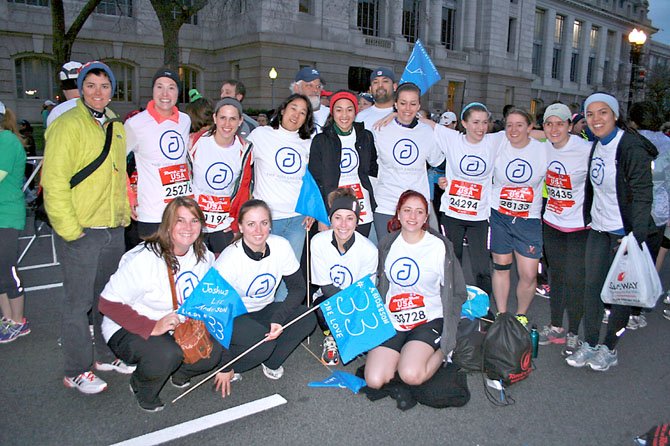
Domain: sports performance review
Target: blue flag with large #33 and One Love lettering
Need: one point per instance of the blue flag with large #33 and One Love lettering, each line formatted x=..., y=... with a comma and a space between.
x=358, y=319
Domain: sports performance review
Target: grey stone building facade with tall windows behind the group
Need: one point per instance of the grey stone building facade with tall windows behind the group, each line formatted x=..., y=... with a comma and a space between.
x=527, y=52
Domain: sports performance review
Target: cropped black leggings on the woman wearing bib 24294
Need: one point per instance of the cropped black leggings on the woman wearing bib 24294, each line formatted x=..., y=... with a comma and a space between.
x=480, y=258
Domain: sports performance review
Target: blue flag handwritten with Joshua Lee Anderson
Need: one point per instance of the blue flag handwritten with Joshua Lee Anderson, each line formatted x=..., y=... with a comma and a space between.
x=215, y=302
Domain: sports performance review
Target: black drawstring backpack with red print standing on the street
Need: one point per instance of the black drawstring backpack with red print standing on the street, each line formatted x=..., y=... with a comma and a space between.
x=507, y=351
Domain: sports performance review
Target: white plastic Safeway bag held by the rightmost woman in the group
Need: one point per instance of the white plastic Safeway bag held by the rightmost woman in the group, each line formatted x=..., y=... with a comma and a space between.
x=632, y=278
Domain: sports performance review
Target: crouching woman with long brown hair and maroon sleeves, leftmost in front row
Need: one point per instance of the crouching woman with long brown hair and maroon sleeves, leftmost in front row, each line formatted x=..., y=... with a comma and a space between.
x=139, y=317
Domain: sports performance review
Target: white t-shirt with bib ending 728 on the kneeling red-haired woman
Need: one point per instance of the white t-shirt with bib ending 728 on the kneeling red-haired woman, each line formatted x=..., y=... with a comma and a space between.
x=415, y=272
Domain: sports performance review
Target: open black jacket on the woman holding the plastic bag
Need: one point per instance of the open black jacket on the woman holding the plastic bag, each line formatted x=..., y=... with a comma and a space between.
x=634, y=190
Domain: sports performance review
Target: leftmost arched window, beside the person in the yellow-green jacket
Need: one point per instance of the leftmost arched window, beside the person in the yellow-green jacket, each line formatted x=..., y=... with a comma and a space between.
x=35, y=78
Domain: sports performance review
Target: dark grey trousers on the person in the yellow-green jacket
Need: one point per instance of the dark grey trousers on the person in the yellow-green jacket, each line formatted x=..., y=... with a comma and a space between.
x=87, y=264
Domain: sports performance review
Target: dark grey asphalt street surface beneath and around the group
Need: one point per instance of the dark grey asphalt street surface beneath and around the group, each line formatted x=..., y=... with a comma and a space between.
x=556, y=405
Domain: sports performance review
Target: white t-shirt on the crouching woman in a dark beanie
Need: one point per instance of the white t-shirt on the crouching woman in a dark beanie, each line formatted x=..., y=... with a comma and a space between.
x=331, y=267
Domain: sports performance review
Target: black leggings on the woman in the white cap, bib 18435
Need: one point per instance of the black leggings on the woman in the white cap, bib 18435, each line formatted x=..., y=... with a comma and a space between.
x=565, y=253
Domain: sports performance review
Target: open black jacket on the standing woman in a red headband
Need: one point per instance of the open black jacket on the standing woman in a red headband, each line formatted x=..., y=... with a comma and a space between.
x=325, y=155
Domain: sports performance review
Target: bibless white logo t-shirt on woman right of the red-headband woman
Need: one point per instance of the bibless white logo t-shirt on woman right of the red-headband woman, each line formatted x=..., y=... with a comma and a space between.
x=402, y=155
